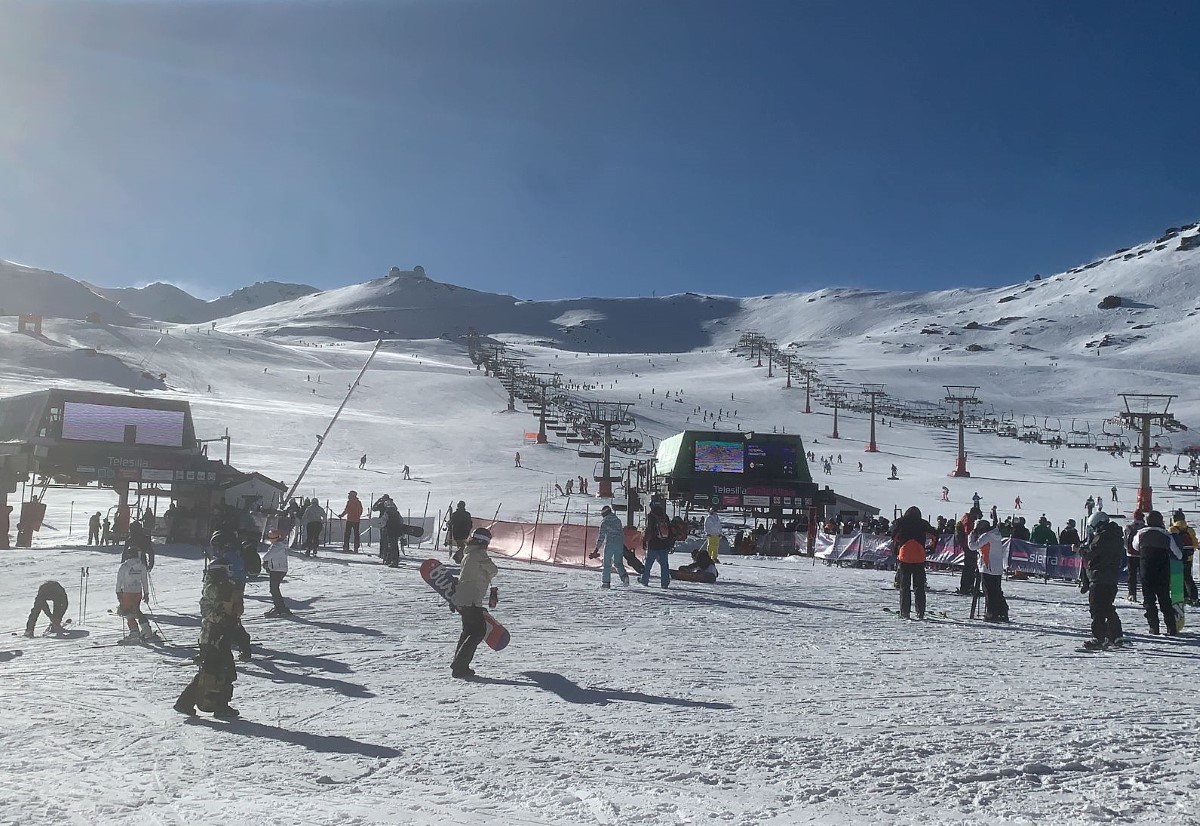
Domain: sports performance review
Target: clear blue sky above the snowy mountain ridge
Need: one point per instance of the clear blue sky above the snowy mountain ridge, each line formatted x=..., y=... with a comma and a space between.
x=560, y=148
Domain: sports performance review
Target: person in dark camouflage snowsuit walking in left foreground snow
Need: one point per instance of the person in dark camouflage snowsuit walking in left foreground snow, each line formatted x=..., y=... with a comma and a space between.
x=212, y=689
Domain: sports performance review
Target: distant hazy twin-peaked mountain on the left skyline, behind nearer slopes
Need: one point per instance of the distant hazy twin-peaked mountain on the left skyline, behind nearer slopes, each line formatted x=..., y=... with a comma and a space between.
x=169, y=303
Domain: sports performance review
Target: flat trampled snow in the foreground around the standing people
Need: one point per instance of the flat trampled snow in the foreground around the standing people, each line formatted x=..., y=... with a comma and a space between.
x=784, y=695
